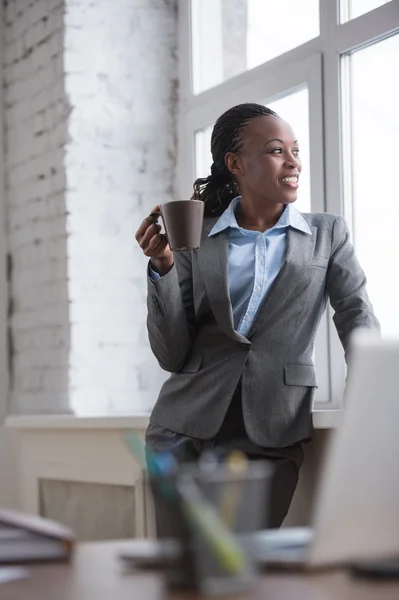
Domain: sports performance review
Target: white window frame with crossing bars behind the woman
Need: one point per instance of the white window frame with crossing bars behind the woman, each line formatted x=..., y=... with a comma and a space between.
x=317, y=64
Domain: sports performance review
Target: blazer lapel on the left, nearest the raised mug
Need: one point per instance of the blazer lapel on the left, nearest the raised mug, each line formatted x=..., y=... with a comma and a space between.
x=213, y=263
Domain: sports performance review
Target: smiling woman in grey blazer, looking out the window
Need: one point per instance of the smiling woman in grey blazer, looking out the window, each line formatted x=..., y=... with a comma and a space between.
x=235, y=321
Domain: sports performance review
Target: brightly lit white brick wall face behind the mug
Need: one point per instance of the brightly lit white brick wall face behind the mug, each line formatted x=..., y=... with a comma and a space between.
x=120, y=162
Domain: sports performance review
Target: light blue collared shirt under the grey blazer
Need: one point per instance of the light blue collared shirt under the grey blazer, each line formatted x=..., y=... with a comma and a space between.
x=254, y=260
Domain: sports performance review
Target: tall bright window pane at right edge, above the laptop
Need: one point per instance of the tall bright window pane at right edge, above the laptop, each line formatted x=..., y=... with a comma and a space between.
x=374, y=127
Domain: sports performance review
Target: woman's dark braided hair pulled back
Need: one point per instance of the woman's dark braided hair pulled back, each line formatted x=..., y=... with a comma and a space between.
x=219, y=188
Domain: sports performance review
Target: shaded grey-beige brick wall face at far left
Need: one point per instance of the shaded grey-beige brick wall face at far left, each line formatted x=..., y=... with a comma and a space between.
x=35, y=135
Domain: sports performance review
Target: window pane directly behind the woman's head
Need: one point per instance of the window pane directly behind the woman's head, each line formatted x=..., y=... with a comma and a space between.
x=294, y=108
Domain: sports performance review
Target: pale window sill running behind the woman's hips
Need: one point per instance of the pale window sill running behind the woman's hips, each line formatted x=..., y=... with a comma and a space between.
x=322, y=419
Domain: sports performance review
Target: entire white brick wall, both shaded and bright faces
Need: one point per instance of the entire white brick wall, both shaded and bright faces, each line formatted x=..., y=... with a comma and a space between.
x=90, y=121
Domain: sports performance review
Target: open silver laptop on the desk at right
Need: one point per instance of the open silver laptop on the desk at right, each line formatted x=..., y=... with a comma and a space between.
x=356, y=513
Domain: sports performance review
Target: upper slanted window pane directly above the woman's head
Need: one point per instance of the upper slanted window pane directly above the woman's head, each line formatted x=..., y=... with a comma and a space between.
x=231, y=36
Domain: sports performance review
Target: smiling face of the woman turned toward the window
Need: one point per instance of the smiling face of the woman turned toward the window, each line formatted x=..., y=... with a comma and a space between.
x=268, y=165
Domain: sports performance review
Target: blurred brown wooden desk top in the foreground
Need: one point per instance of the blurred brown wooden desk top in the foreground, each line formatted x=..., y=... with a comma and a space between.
x=95, y=574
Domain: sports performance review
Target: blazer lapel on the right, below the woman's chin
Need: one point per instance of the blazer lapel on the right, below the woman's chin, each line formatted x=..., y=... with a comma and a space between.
x=300, y=248
